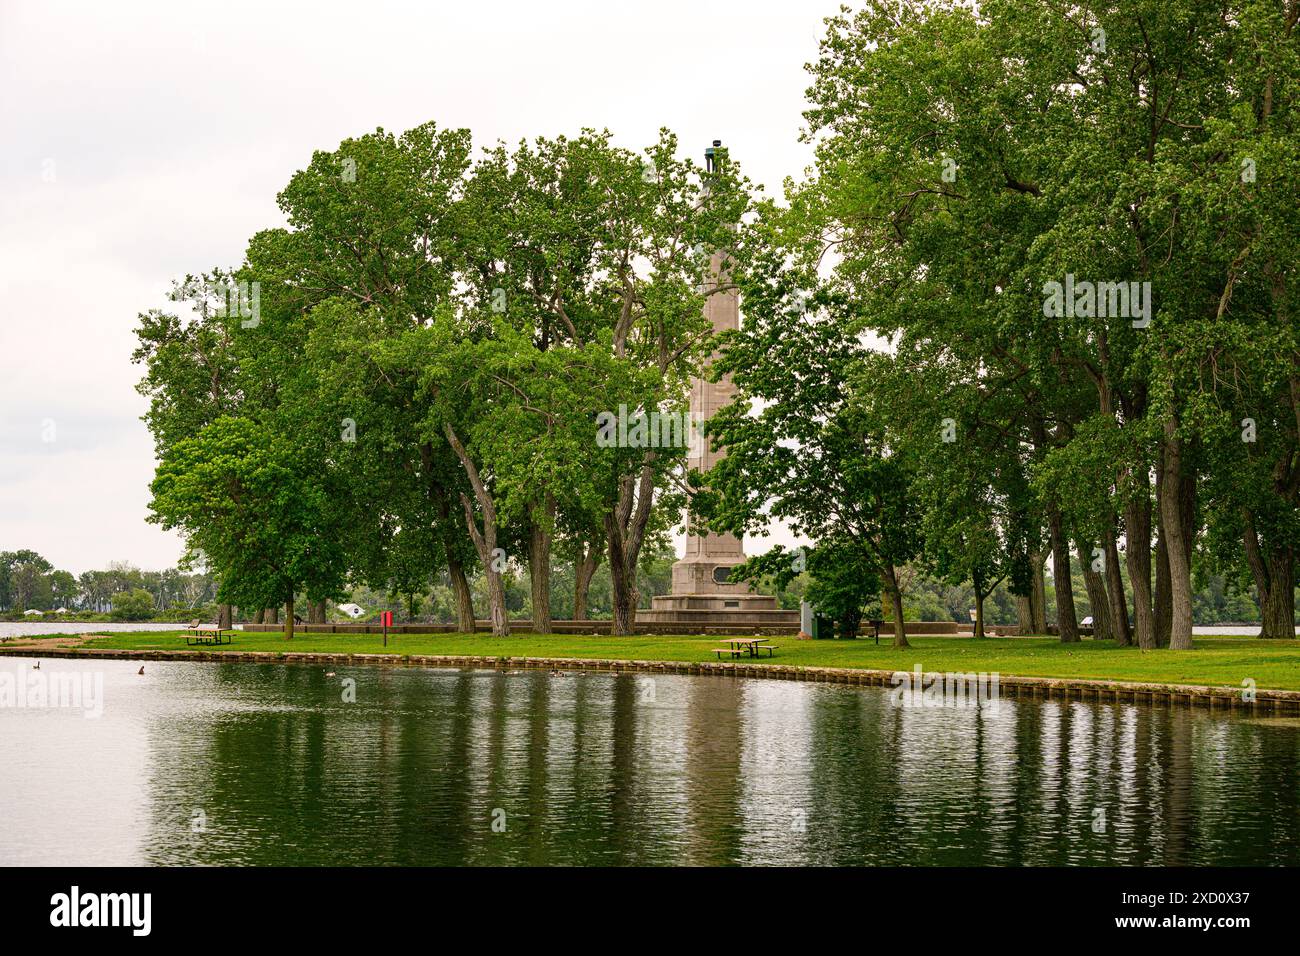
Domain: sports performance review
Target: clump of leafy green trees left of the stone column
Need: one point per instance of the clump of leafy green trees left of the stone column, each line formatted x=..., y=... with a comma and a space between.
x=408, y=380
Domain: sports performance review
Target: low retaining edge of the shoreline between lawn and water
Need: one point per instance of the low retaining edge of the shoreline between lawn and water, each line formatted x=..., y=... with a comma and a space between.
x=1212, y=698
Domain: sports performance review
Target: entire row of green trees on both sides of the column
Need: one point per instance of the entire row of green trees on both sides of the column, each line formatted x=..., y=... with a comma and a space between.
x=1034, y=301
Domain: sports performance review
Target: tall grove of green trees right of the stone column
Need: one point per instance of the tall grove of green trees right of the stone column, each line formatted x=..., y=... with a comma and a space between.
x=1074, y=226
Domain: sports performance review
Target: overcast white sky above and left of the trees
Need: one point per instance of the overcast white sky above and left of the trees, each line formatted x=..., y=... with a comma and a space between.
x=146, y=141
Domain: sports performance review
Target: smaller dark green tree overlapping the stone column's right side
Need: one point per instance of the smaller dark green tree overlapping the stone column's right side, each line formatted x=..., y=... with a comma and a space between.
x=818, y=452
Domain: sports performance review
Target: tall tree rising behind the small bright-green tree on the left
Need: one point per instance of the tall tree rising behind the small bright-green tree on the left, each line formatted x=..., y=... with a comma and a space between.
x=371, y=253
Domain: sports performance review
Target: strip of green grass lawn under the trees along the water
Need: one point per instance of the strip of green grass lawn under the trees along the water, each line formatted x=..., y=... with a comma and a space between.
x=1223, y=661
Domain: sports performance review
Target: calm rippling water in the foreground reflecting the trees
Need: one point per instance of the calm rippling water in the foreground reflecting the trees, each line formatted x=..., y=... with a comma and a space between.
x=267, y=764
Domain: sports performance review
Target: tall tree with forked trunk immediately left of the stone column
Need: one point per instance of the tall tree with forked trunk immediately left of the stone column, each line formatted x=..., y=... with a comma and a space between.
x=584, y=245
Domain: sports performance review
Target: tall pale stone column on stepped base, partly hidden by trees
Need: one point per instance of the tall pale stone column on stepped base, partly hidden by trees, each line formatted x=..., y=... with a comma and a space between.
x=700, y=579
